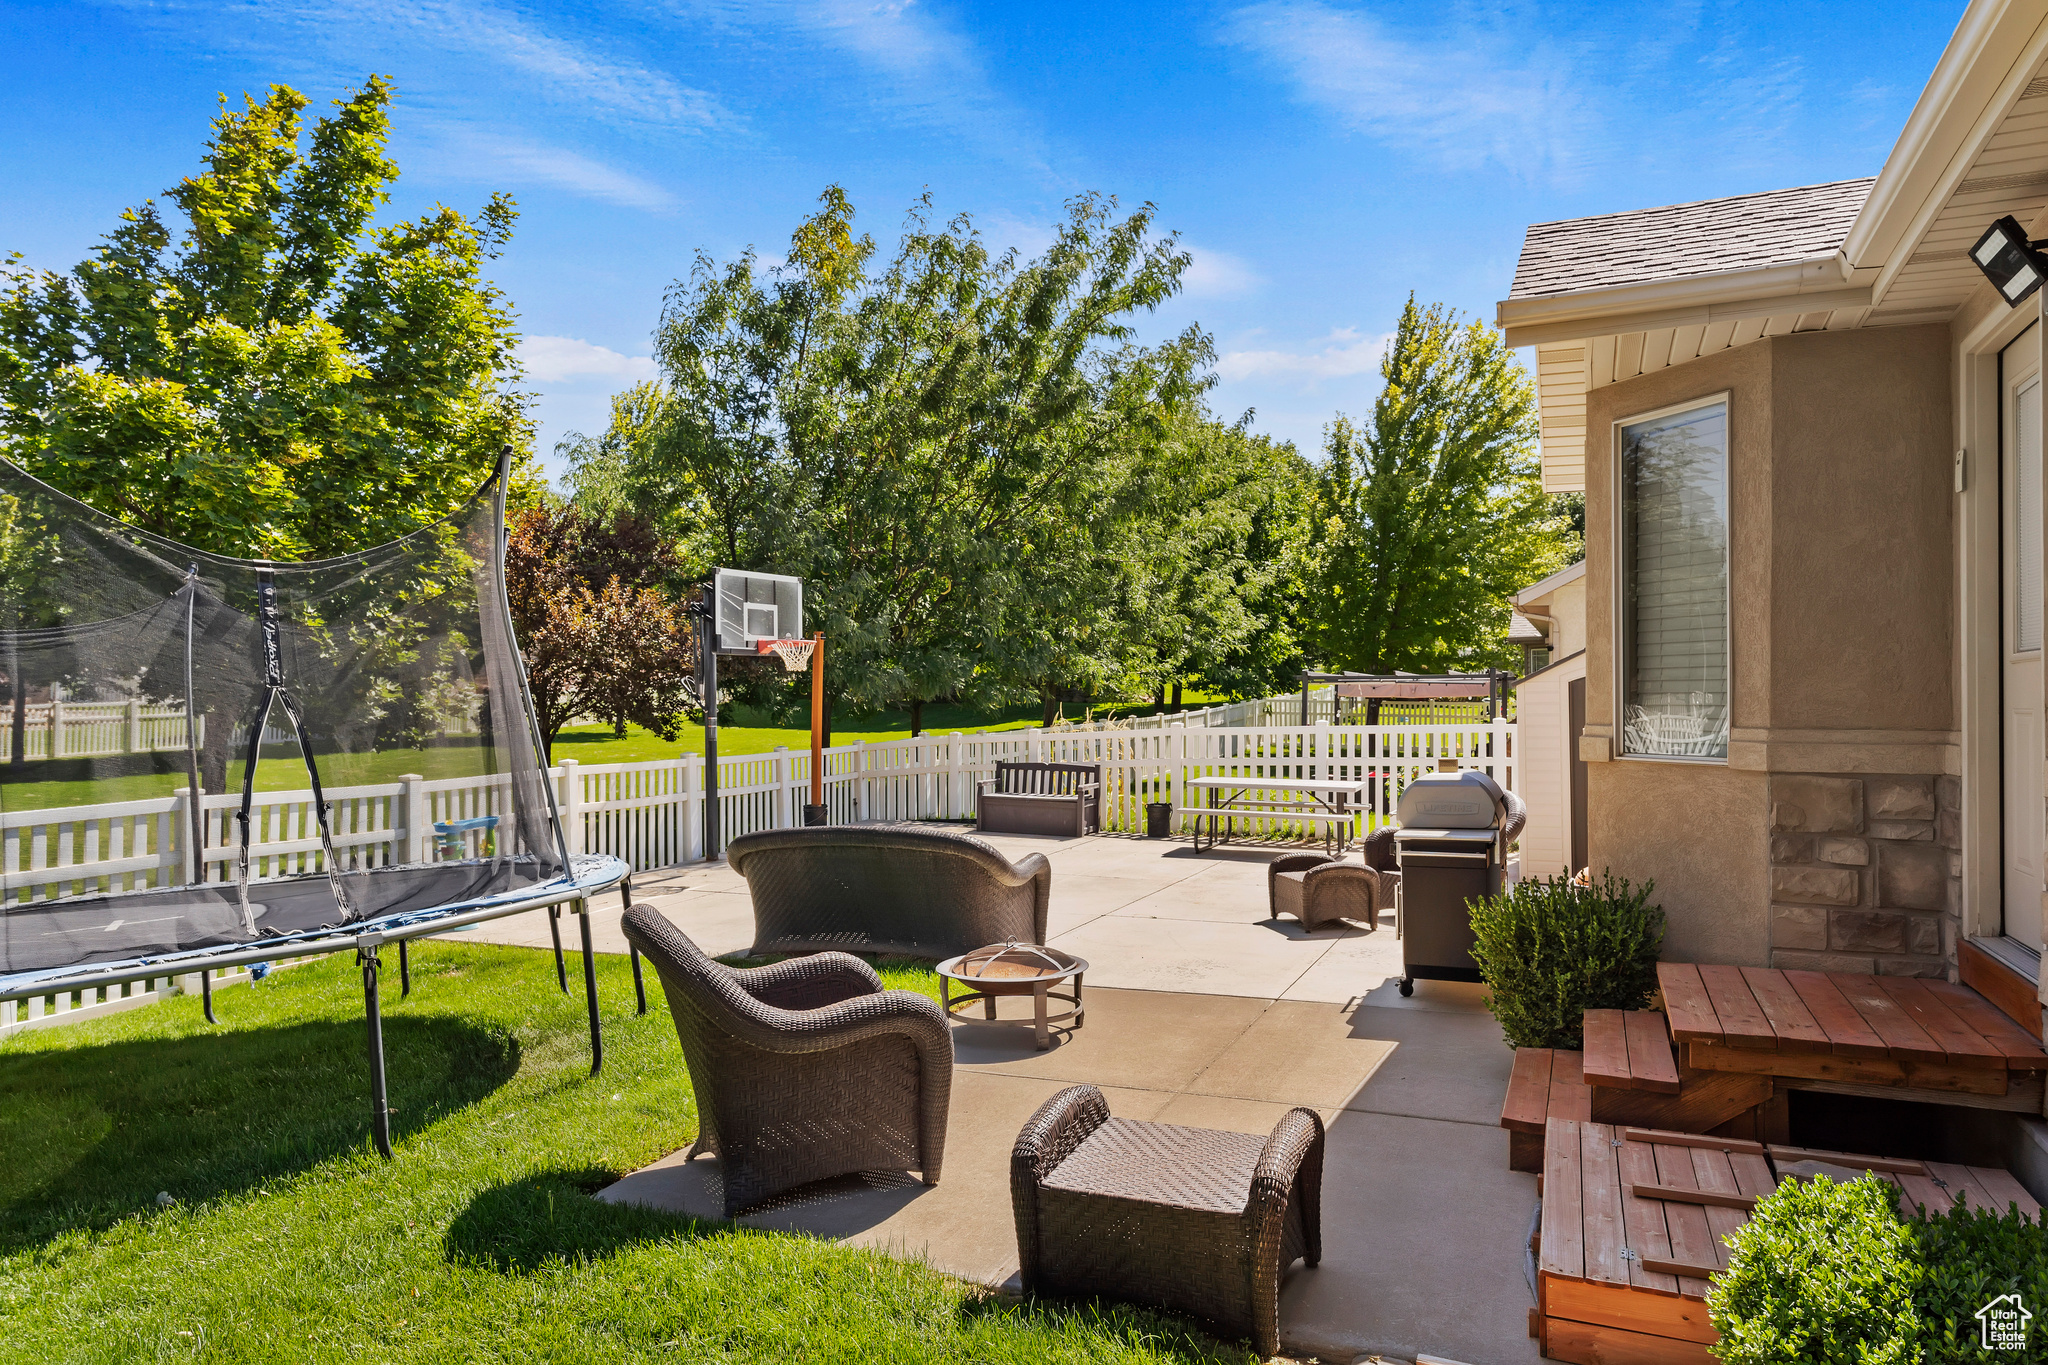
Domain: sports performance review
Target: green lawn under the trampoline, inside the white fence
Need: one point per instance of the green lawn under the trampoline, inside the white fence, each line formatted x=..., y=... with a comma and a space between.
x=292, y=1241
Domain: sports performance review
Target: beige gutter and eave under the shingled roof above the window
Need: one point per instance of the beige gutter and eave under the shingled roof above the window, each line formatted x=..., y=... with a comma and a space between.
x=1811, y=285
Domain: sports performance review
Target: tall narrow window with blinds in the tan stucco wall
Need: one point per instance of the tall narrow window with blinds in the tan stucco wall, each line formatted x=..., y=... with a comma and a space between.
x=1674, y=605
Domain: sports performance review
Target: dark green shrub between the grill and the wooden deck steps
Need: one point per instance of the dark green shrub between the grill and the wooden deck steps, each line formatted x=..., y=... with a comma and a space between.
x=1551, y=951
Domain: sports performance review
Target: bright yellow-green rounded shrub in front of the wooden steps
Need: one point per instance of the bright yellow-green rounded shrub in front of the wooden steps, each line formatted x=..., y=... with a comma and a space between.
x=1820, y=1274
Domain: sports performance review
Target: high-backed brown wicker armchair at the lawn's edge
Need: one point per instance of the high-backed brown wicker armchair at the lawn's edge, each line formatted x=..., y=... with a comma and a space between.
x=804, y=1069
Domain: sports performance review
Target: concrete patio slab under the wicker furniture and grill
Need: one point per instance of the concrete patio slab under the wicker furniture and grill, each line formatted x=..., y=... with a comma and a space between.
x=1201, y=1012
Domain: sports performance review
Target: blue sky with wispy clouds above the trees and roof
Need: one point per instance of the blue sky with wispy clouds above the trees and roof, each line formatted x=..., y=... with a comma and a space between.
x=1320, y=159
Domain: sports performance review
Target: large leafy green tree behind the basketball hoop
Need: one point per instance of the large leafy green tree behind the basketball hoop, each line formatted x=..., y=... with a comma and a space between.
x=939, y=445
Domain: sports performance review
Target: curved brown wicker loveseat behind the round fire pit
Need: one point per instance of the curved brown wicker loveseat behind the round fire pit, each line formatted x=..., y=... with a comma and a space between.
x=923, y=893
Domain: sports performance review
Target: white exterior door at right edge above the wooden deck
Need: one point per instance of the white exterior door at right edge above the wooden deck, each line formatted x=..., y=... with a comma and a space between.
x=2022, y=740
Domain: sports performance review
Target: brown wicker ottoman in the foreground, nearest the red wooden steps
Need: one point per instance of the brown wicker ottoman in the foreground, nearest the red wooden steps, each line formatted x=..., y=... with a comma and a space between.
x=1205, y=1223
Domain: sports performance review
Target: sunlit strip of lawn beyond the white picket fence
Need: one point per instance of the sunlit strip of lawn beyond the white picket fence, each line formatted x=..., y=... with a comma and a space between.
x=40, y=787
